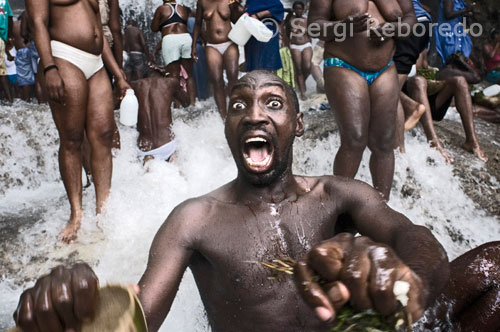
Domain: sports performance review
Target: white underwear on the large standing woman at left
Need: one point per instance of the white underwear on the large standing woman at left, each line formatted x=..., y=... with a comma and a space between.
x=88, y=63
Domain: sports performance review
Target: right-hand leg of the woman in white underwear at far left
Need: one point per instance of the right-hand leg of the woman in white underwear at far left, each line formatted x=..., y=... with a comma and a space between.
x=100, y=129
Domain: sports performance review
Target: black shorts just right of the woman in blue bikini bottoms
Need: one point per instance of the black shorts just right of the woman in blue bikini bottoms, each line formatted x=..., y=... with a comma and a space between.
x=408, y=50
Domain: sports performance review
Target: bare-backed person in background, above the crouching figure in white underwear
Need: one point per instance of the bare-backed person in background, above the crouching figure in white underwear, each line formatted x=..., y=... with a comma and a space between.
x=137, y=51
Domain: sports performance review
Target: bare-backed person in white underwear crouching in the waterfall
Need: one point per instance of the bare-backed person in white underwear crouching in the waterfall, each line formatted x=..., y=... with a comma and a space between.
x=155, y=94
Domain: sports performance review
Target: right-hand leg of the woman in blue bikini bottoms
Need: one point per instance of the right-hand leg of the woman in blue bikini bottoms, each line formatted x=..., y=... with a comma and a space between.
x=384, y=96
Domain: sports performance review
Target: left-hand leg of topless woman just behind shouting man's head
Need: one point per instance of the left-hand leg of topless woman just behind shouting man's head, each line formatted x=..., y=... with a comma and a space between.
x=215, y=71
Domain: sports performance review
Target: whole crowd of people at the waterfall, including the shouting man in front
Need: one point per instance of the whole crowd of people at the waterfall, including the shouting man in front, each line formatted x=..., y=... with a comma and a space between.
x=368, y=78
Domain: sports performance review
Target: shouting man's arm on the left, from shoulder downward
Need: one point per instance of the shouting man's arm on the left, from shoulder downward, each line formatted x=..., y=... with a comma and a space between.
x=169, y=257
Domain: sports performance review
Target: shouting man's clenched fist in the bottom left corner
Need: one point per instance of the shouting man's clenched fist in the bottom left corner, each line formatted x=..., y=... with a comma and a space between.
x=60, y=301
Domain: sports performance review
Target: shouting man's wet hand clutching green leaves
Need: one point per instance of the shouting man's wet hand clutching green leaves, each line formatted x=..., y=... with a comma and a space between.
x=356, y=269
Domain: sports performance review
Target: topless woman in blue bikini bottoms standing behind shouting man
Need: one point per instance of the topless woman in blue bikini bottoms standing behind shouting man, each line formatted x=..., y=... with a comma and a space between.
x=361, y=79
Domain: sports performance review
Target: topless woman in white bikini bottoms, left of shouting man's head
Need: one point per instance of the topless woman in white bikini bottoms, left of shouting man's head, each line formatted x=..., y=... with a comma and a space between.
x=221, y=52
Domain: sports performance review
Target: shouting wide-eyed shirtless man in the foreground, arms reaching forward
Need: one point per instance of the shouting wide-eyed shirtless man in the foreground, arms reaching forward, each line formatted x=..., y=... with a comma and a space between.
x=268, y=212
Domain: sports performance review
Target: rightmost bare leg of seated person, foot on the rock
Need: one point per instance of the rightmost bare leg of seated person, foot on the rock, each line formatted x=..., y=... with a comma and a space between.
x=459, y=88
